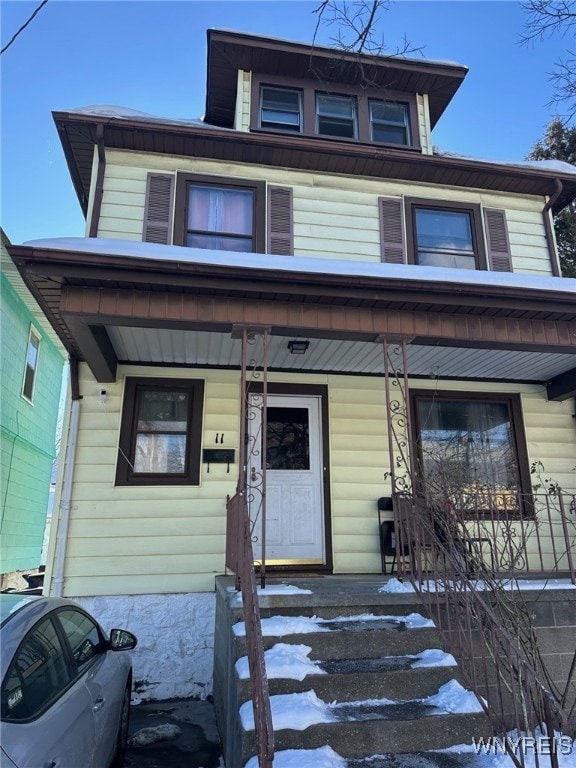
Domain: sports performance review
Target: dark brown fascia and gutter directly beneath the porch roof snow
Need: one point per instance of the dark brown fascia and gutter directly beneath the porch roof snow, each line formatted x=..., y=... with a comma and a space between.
x=104, y=268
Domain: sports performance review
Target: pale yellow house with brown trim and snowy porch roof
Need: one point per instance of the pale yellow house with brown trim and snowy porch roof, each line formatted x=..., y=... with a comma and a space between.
x=283, y=264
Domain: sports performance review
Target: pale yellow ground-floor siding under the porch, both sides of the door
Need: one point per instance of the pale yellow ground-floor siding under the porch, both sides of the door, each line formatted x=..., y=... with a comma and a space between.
x=161, y=539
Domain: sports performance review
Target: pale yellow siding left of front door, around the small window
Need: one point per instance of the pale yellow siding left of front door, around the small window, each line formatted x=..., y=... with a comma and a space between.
x=155, y=538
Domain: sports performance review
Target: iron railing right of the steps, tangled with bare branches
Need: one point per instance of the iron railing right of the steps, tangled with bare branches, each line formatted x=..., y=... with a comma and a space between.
x=466, y=565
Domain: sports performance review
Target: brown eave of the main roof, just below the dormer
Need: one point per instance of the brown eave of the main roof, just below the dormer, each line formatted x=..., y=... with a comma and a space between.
x=78, y=135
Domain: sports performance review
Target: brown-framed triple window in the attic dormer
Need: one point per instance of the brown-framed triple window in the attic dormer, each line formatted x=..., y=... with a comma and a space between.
x=350, y=114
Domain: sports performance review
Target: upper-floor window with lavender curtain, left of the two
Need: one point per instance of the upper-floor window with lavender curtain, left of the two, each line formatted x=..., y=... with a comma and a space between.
x=220, y=214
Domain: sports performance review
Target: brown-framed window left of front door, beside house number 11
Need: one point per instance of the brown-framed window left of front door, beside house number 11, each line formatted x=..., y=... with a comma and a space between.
x=161, y=431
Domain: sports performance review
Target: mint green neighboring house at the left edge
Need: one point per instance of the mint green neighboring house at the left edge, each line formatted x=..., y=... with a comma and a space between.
x=32, y=361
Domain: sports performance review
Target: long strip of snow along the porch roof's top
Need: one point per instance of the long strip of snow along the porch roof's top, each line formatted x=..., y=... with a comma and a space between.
x=304, y=265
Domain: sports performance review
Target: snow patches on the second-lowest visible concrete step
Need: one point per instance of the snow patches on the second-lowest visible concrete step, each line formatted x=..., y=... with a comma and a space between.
x=298, y=711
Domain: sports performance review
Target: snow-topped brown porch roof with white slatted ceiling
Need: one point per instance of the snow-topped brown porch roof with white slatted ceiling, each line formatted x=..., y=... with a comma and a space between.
x=119, y=301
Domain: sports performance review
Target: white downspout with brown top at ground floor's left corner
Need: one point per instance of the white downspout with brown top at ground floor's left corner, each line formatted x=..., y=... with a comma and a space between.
x=66, y=496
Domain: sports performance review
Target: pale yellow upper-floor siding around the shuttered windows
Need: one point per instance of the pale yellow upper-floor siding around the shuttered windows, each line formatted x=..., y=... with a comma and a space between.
x=333, y=217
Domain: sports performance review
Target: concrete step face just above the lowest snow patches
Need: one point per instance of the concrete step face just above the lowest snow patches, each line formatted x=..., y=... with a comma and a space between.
x=410, y=731
